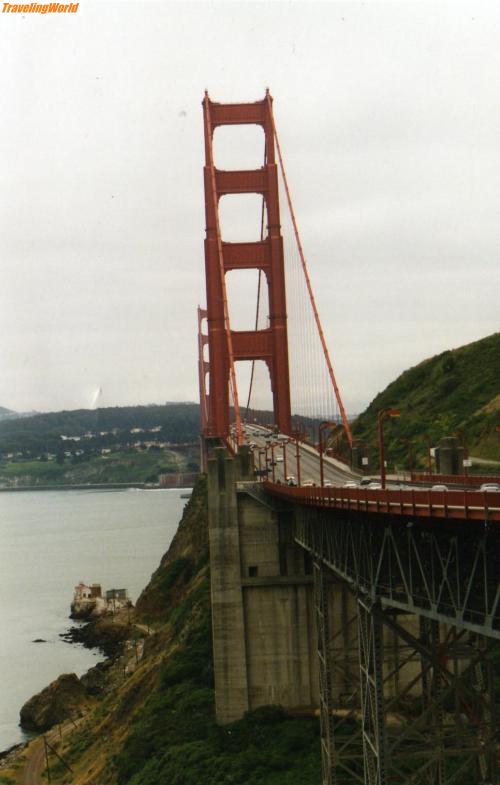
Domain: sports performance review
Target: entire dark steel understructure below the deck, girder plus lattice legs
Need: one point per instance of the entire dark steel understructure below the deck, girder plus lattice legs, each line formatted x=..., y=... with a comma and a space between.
x=439, y=726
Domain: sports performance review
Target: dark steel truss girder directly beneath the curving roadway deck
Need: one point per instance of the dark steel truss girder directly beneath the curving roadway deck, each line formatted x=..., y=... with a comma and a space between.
x=444, y=571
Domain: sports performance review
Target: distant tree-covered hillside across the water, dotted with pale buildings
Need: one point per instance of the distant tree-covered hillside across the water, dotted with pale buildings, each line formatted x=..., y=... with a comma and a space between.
x=117, y=445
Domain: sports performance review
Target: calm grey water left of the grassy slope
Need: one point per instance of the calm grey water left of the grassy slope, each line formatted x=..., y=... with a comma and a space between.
x=49, y=541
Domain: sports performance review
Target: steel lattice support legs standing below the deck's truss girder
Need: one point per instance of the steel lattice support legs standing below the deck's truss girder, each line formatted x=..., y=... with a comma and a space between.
x=424, y=717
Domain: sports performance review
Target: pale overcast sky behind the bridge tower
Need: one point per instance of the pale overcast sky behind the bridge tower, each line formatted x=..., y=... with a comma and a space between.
x=389, y=119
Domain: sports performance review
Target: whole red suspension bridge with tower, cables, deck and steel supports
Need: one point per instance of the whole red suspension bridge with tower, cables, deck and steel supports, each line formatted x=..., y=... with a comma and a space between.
x=421, y=566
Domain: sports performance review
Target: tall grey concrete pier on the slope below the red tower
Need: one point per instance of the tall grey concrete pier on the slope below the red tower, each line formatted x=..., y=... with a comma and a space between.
x=262, y=610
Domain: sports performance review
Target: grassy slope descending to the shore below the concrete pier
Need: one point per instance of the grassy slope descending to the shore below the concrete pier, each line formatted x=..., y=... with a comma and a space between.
x=158, y=726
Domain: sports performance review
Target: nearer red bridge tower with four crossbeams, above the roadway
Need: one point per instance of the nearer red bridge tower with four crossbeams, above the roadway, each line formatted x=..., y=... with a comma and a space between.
x=227, y=346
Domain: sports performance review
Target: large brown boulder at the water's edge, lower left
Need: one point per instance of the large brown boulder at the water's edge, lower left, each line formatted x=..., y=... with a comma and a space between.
x=56, y=703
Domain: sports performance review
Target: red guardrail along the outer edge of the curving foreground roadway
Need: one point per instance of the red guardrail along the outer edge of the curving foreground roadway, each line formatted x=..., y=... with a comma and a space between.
x=412, y=502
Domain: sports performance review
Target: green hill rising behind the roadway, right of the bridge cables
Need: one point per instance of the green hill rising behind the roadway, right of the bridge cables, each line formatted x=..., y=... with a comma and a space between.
x=457, y=391
